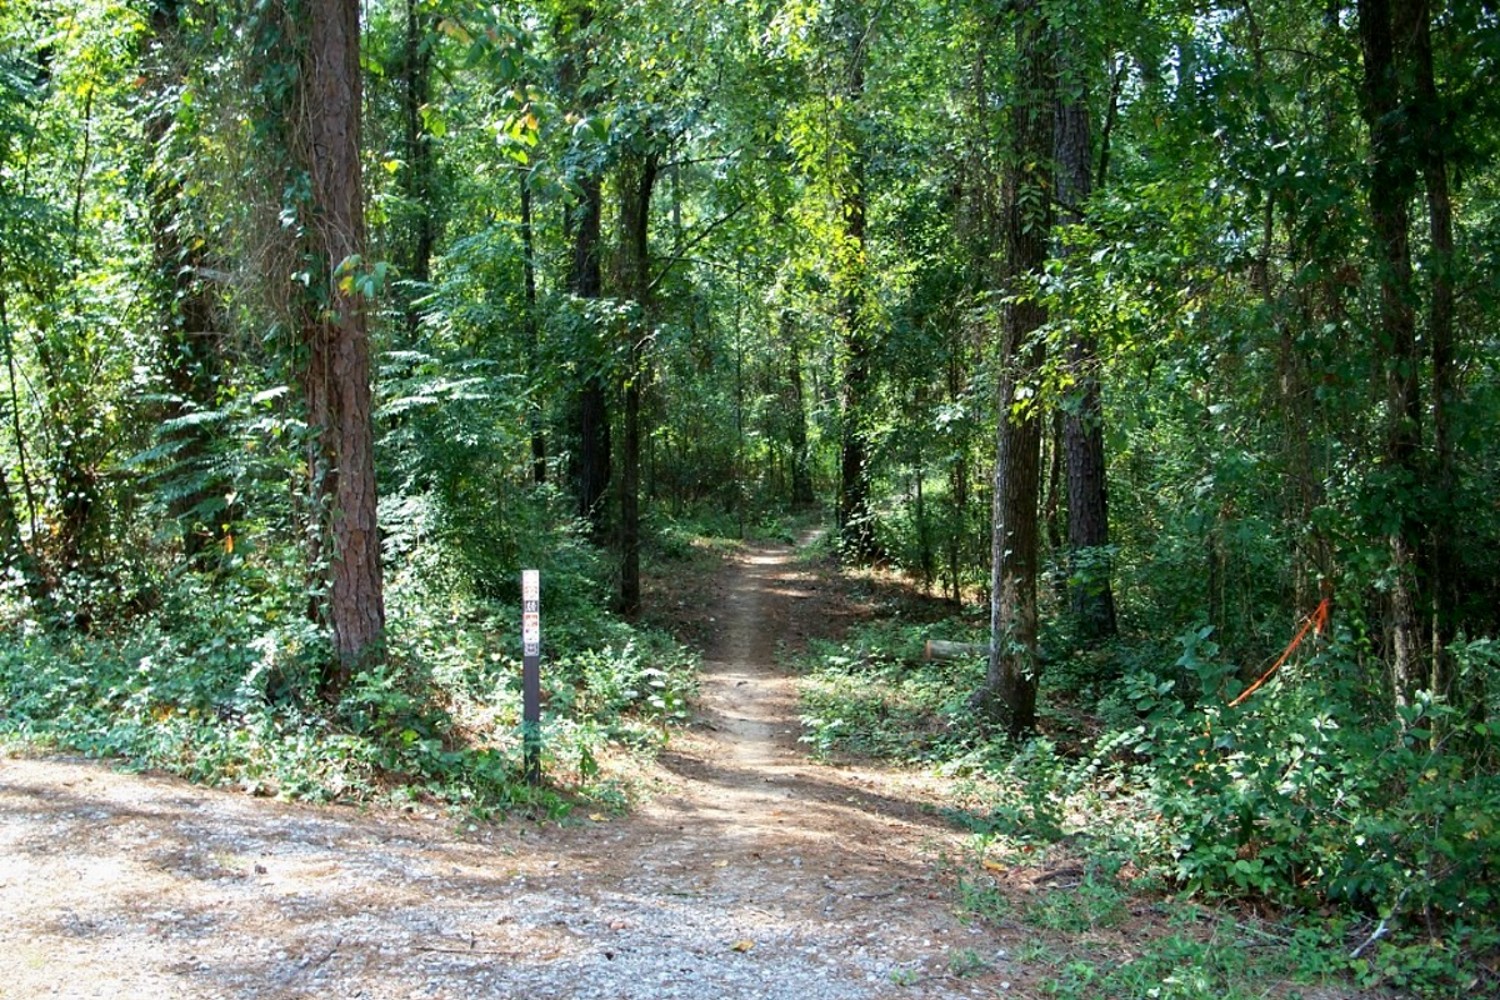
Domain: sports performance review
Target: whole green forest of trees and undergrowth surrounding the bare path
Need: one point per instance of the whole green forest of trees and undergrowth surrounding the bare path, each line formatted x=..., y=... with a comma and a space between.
x=1145, y=340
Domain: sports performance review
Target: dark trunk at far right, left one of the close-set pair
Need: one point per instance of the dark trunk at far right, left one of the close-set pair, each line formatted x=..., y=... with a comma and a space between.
x=1393, y=184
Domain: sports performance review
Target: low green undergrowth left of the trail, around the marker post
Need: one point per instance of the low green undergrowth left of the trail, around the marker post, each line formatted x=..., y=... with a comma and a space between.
x=220, y=683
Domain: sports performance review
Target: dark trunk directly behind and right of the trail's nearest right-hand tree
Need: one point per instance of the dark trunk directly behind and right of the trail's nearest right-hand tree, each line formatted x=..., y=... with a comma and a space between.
x=1093, y=596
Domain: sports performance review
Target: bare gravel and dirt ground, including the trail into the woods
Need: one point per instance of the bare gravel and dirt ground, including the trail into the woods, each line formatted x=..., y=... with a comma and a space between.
x=746, y=872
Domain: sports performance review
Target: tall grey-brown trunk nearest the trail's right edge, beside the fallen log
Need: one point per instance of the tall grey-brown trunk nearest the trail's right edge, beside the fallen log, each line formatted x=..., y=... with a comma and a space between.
x=1010, y=689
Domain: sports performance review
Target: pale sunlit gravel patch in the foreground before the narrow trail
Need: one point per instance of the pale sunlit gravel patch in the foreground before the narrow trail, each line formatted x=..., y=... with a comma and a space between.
x=236, y=897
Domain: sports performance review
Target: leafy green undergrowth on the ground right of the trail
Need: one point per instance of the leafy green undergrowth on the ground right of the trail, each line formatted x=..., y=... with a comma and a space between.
x=1369, y=852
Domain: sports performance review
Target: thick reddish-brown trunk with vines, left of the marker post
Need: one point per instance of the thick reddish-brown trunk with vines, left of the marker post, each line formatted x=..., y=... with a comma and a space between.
x=346, y=543
